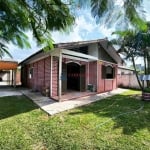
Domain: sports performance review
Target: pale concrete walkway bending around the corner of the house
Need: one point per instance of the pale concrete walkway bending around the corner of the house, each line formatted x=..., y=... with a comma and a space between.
x=52, y=107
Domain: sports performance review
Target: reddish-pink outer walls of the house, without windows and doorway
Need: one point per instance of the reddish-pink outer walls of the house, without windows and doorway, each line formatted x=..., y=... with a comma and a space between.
x=42, y=75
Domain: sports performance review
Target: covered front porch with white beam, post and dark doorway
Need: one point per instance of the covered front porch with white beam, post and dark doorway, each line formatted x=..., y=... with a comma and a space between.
x=69, y=74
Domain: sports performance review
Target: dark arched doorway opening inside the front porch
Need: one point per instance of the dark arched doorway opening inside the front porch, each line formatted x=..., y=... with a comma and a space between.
x=73, y=76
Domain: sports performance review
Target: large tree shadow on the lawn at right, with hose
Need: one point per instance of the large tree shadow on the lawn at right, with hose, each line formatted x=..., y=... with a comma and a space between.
x=126, y=111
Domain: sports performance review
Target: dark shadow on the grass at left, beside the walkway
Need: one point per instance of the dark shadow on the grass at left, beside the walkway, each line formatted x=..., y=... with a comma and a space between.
x=14, y=105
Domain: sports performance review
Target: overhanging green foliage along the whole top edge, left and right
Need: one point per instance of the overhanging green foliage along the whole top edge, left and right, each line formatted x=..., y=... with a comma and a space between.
x=44, y=16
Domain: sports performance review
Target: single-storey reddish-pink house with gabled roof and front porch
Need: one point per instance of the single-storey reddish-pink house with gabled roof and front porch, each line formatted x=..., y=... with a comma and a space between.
x=75, y=66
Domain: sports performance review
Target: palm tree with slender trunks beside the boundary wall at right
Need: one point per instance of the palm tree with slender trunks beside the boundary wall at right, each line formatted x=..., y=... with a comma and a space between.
x=134, y=44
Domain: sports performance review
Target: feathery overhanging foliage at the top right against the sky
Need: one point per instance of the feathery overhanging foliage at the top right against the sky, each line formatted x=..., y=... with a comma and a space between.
x=126, y=12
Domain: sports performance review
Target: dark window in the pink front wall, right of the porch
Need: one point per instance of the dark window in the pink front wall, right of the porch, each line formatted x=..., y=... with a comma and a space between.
x=108, y=72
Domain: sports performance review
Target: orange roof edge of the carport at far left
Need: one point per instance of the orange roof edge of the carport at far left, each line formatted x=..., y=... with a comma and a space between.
x=8, y=65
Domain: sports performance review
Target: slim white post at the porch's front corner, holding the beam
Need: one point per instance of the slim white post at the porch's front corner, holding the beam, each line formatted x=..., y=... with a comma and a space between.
x=60, y=77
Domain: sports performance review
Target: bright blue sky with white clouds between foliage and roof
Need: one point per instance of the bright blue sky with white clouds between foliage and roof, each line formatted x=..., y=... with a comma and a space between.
x=85, y=28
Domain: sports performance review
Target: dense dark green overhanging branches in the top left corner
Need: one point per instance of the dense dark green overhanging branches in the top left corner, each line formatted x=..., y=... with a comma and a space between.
x=39, y=16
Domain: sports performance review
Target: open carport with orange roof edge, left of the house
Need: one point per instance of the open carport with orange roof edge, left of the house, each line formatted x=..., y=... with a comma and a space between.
x=8, y=71
